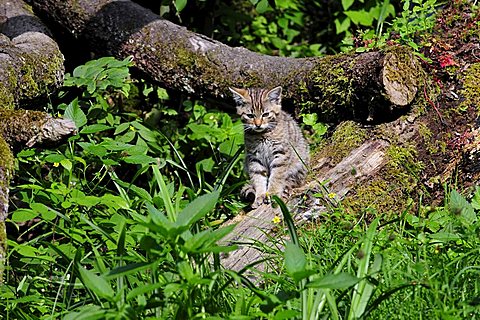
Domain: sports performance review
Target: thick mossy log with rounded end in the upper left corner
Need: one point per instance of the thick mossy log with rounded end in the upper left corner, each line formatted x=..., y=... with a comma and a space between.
x=31, y=64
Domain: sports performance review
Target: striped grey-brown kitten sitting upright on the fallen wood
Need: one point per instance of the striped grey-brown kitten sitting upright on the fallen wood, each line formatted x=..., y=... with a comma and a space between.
x=276, y=151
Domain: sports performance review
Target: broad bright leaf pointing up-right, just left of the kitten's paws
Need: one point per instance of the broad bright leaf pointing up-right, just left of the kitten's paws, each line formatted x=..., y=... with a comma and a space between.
x=197, y=209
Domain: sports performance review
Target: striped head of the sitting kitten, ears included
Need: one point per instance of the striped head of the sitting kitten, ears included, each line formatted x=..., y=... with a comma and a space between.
x=258, y=108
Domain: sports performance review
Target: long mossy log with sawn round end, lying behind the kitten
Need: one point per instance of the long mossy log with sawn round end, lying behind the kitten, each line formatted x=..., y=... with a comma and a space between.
x=366, y=86
